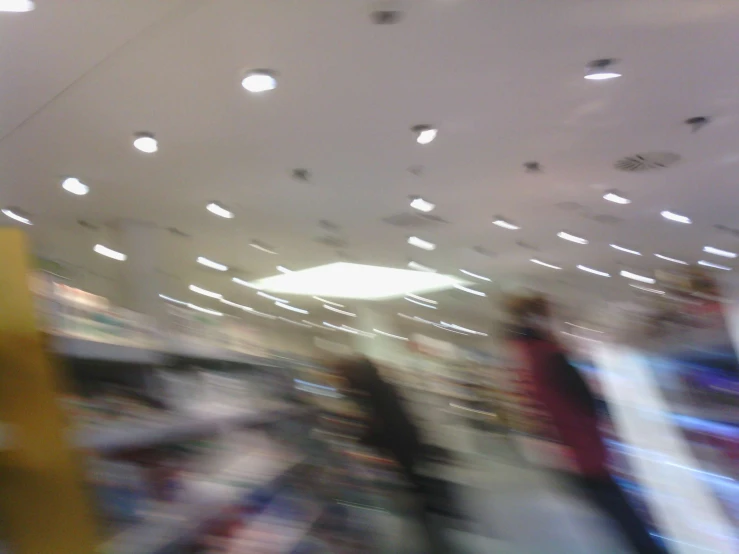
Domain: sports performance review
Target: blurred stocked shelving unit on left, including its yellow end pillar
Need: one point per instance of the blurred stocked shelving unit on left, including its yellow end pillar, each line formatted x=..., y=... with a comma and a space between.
x=43, y=461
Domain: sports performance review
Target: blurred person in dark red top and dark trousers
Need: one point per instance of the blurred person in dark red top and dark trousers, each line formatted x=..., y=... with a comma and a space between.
x=571, y=408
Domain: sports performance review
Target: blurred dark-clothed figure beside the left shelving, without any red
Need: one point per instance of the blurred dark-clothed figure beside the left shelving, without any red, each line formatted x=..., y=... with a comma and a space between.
x=390, y=428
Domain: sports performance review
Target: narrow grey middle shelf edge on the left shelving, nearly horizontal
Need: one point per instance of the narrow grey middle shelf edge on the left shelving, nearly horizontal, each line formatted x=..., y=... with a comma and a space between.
x=136, y=436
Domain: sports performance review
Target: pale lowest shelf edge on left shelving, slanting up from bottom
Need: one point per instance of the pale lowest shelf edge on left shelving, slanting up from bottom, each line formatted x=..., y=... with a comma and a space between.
x=181, y=522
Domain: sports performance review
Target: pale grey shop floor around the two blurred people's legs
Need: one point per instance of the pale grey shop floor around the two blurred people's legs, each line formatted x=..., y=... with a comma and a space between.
x=514, y=507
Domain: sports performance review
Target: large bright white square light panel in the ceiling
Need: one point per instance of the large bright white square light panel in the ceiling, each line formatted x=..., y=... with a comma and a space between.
x=362, y=282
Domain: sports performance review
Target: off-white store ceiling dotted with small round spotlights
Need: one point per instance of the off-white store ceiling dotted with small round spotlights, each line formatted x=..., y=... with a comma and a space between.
x=503, y=81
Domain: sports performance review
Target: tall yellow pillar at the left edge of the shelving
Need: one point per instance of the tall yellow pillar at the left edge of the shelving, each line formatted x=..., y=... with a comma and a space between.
x=44, y=508
